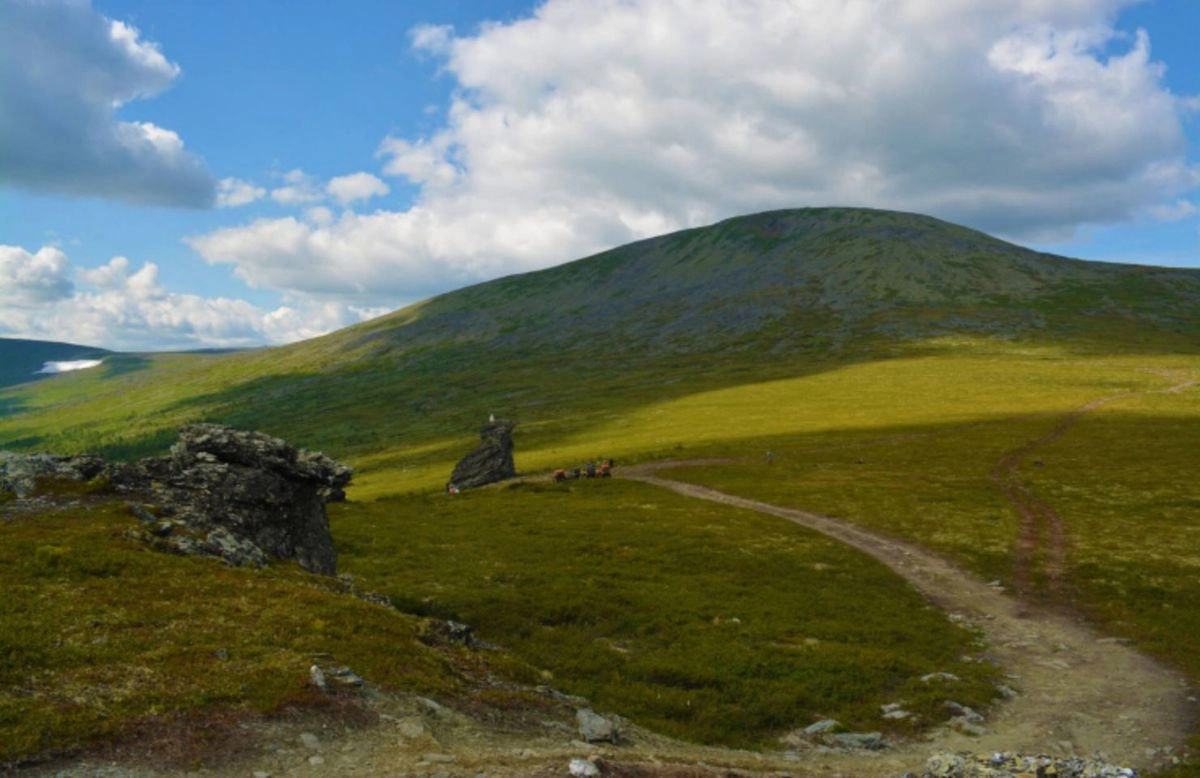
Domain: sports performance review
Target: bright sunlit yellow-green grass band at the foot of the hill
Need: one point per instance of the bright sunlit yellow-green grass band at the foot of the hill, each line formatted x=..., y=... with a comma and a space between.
x=959, y=382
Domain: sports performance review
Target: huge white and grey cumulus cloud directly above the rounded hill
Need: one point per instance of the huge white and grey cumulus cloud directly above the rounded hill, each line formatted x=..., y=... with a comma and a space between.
x=591, y=124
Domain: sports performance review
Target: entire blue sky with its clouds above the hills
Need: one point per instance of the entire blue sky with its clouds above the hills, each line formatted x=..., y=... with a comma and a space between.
x=203, y=173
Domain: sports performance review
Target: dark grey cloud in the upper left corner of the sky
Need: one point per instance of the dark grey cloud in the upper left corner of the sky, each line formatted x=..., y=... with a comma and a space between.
x=65, y=73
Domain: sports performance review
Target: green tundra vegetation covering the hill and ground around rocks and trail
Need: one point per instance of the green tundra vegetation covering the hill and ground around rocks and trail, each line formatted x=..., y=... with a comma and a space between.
x=892, y=363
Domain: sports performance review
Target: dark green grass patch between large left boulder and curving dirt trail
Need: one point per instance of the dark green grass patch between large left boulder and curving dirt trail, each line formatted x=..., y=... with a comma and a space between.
x=700, y=621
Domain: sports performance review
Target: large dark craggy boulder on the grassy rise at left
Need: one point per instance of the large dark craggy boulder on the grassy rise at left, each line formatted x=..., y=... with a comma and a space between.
x=253, y=487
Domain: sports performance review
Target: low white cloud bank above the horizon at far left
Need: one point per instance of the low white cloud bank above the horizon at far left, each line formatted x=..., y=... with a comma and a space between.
x=124, y=308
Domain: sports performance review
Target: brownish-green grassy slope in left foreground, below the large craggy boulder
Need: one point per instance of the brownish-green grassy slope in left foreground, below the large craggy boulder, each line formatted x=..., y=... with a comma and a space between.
x=103, y=637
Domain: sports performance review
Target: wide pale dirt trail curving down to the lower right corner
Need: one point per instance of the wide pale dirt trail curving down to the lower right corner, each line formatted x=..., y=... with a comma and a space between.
x=1079, y=692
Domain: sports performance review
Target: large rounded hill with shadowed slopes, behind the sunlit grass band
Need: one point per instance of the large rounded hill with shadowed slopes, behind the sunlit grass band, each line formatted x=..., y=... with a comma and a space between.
x=757, y=298
